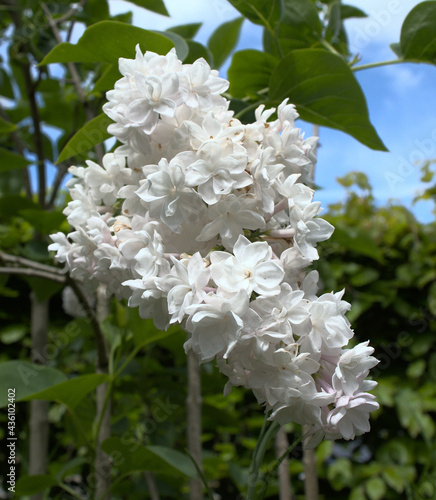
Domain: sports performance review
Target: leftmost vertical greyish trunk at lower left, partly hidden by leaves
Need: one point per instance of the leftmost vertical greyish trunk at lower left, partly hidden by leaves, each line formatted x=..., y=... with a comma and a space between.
x=38, y=423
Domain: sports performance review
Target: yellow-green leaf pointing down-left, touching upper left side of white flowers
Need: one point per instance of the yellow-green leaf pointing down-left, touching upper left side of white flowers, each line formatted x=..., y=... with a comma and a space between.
x=92, y=133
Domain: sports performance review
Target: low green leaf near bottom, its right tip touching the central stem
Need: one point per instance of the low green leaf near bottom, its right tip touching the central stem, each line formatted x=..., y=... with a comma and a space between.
x=129, y=456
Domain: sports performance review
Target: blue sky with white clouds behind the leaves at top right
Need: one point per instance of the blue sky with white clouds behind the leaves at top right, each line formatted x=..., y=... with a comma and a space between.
x=401, y=98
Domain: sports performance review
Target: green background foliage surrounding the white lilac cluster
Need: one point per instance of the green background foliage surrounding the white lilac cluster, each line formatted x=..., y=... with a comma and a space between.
x=50, y=117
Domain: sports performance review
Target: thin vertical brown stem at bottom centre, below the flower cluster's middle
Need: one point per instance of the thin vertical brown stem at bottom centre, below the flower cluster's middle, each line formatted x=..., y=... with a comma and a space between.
x=193, y=410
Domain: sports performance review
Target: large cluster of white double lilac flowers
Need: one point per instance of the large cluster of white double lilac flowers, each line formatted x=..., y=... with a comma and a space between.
x=200, y=220
